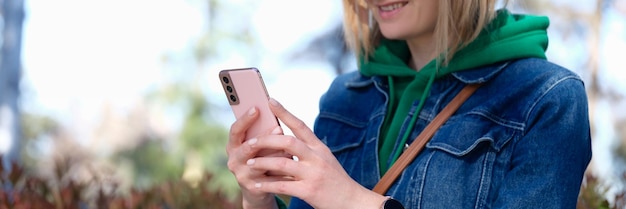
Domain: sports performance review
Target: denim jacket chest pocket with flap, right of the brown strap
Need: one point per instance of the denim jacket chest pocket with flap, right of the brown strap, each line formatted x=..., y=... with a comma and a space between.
x=457, y=165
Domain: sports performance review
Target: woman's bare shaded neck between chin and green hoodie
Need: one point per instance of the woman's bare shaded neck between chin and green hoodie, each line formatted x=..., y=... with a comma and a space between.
x=422, y=52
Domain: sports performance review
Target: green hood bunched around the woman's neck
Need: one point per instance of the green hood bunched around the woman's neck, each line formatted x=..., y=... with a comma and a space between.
x=507, y=37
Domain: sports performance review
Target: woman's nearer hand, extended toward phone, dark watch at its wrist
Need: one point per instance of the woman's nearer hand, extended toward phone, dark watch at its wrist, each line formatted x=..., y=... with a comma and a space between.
x=315, y=177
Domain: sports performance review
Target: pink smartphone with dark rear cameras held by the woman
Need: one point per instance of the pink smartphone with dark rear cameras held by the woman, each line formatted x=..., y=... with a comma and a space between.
x=244, y=89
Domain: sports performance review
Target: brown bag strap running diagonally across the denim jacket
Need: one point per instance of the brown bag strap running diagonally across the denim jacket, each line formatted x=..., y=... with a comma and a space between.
x=418, y=144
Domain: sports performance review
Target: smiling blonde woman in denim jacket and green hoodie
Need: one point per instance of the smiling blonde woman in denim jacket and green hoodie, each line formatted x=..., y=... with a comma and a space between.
x=522, y=140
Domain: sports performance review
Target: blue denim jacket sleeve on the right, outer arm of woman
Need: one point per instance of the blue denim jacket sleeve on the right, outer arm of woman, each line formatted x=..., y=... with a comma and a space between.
x=549, y=161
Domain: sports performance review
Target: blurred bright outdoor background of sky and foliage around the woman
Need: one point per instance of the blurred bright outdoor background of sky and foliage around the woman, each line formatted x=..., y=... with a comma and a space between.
x=117, y=103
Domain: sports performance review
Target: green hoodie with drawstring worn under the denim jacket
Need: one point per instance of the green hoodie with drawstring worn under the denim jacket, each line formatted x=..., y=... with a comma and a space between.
x=507, y=37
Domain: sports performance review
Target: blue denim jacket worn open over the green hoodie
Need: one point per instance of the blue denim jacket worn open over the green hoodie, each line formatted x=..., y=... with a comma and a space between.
x=521, y=141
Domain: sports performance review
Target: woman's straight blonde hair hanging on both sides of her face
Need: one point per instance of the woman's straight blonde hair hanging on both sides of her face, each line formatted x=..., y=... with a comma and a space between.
x=458, y=24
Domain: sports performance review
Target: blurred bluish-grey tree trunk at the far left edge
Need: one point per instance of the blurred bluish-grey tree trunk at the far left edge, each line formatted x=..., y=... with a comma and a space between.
x=10, y=75
